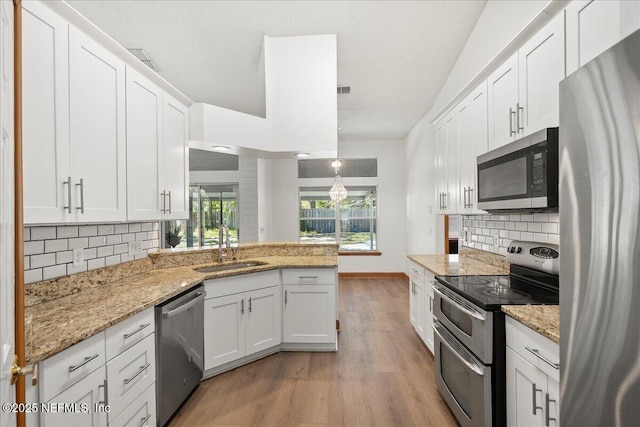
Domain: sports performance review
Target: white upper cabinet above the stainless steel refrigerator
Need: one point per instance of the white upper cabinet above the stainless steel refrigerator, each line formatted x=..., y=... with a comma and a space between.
x=593, y=26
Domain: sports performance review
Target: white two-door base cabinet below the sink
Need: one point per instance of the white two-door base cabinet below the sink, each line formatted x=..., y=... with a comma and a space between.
x=244, y=322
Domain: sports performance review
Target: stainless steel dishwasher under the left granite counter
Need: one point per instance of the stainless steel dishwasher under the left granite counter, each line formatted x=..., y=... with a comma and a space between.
x=179, y=350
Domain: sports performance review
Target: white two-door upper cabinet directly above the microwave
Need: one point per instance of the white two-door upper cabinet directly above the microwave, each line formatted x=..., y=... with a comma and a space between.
x=523, y=92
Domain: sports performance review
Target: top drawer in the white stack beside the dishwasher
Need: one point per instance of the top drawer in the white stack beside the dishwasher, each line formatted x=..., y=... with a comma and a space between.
x=127, y=333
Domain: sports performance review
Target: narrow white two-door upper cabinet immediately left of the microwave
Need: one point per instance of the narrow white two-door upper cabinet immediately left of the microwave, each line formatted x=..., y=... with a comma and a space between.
x=472, y=141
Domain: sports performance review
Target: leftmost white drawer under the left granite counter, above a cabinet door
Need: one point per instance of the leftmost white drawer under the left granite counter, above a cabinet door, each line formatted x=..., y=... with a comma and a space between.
x=66, y=368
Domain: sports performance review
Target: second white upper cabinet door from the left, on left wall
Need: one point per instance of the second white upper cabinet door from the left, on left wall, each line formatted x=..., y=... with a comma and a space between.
x=97, y=130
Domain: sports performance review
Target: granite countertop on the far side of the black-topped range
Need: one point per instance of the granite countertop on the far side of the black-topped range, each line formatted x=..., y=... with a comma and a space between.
x=457, y=265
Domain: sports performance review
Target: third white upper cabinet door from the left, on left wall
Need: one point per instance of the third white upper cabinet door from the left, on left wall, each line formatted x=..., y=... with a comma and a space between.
x=144, y=145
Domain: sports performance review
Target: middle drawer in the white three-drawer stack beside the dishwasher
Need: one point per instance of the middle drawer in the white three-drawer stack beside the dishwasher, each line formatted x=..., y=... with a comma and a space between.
x=131, y=373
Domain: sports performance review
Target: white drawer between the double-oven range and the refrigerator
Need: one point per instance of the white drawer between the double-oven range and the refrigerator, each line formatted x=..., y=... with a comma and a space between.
x=527, y=343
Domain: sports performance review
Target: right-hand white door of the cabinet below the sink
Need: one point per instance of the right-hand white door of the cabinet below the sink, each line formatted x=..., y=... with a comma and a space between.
x=264, y=319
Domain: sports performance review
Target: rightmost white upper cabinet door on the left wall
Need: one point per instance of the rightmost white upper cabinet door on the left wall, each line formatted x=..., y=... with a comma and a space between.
x=175, y=165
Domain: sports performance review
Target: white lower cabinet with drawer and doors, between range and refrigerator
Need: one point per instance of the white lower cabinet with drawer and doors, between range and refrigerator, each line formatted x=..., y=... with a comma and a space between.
x=532, y=377
